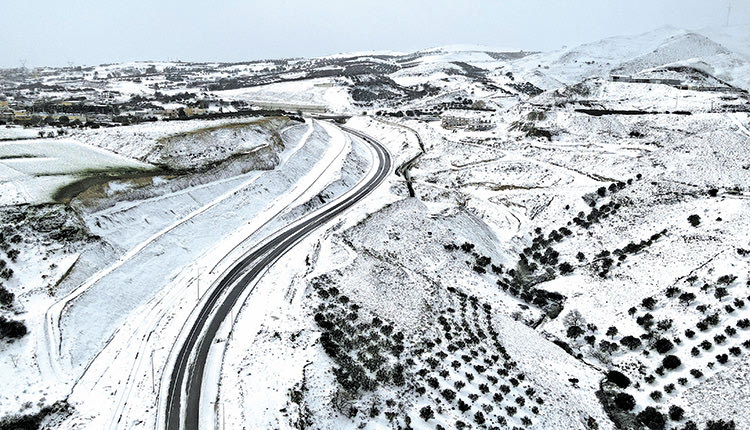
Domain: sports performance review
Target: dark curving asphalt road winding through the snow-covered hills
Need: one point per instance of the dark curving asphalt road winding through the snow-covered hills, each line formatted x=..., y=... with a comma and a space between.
x=187, y=374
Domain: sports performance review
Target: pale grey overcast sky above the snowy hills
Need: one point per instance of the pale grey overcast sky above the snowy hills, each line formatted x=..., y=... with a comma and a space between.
x=89, y=32
